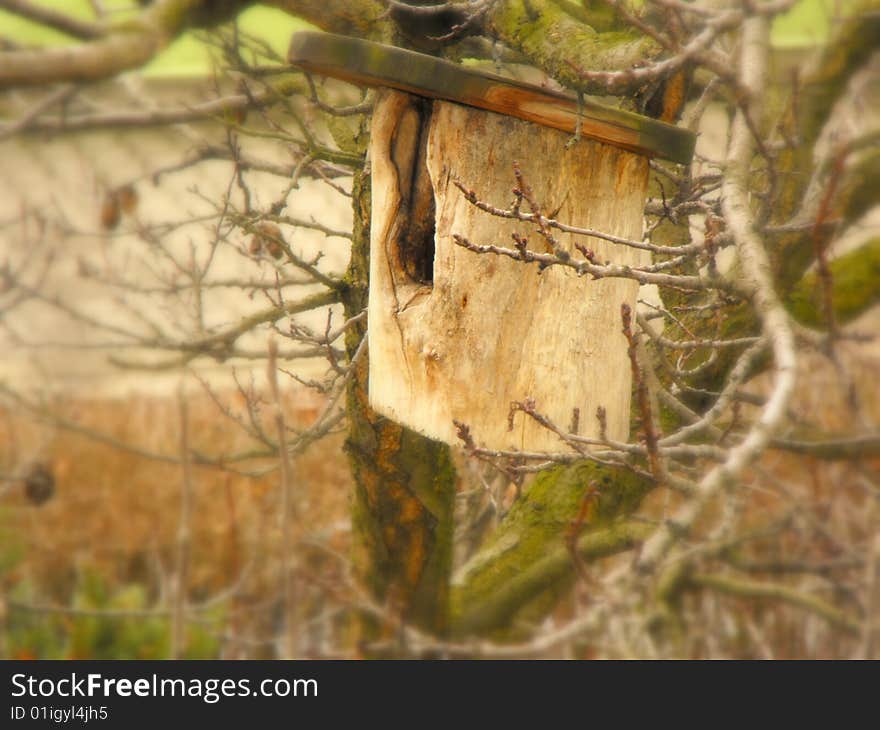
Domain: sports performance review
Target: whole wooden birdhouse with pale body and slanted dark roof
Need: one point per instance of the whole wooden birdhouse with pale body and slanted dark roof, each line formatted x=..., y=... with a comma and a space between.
x=456, y=335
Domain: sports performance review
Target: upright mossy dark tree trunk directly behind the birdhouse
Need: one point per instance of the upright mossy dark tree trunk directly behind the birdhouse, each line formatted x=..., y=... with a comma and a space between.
x=404, y=483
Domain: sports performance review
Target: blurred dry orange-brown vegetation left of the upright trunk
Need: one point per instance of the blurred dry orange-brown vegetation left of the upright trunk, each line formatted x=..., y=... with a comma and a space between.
x=114, y=516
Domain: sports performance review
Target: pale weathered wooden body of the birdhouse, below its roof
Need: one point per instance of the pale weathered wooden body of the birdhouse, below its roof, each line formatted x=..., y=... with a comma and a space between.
x=487, y=330
